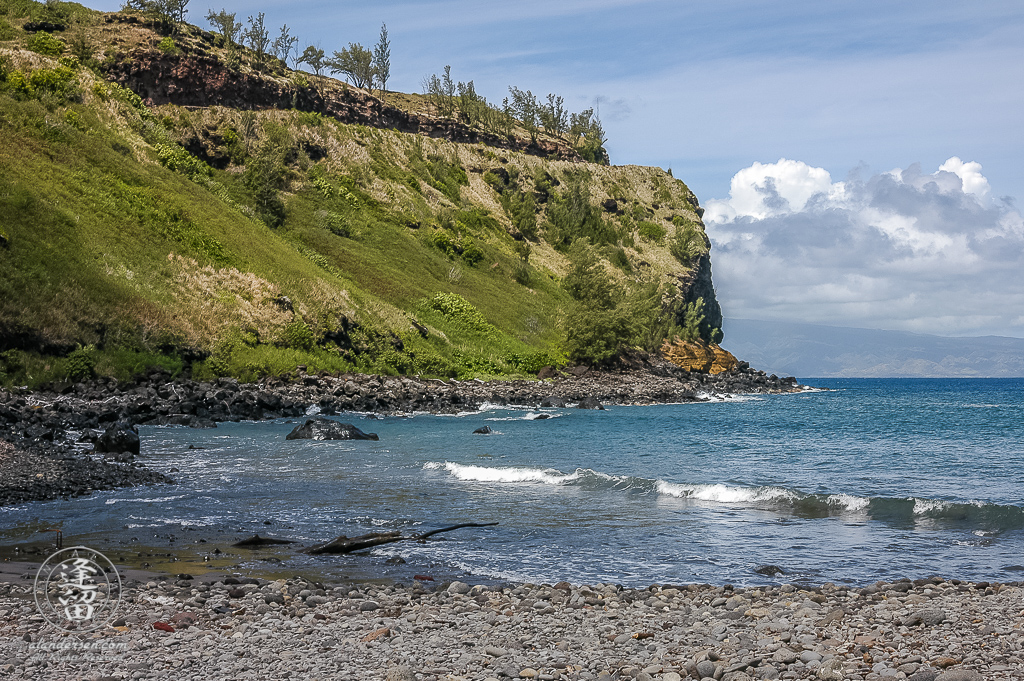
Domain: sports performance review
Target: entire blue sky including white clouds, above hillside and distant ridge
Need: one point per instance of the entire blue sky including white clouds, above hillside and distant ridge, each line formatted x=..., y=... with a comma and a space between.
x=826, y=140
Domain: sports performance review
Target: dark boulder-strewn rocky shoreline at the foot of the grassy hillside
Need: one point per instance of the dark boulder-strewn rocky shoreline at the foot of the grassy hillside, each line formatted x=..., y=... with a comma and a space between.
x=48, y=438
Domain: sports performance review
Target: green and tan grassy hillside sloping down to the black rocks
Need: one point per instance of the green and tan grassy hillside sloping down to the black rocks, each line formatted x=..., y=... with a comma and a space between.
x=246, y=243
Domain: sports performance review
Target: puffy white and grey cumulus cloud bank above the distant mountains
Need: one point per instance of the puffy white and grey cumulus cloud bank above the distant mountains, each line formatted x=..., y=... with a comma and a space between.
x=932, y=252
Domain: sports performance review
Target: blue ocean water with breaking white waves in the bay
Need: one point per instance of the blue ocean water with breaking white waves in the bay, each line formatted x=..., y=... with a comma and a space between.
x=870, y=480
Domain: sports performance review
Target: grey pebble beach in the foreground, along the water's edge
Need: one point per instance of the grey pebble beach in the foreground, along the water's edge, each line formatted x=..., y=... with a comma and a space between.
x=249, y=628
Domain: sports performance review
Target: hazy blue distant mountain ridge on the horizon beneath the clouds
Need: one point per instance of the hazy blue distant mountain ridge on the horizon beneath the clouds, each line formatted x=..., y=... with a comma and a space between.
x=808, y=351
